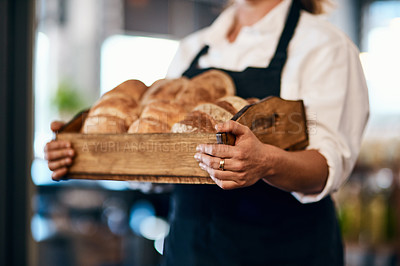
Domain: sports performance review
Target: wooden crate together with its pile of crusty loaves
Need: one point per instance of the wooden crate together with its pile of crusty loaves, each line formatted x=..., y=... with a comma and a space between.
x=150, y=134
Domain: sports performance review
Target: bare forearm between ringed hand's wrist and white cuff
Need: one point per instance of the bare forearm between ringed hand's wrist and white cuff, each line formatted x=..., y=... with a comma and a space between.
x=300, y=171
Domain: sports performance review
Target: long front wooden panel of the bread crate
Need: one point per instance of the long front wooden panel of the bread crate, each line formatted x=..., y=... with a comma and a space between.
x=167, y=154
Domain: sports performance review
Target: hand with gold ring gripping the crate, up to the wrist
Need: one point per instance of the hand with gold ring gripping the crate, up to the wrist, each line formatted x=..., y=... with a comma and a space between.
x=245, y=163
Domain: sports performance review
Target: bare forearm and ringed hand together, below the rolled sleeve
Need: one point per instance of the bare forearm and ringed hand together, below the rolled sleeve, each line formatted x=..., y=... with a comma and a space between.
x=250, y=160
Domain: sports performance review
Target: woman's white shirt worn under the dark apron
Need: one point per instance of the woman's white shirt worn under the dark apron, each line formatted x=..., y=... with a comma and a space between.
x=323, y=69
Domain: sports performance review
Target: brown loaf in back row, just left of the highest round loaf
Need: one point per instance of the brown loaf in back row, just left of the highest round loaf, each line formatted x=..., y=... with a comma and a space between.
x=165, y=89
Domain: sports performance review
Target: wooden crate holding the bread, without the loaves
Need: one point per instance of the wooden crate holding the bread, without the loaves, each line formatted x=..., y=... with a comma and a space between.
x=168, y=157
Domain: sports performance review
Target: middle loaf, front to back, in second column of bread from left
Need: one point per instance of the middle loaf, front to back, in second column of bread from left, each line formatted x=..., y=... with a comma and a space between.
x=166, y=111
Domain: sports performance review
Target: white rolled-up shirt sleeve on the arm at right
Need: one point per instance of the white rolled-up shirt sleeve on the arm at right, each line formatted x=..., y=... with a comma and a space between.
x=335, y=95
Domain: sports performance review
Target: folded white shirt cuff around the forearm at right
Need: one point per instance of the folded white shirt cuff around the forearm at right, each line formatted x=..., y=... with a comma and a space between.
x=334, y=178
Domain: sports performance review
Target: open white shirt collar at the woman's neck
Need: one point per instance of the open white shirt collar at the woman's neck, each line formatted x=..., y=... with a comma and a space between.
x=270, y=23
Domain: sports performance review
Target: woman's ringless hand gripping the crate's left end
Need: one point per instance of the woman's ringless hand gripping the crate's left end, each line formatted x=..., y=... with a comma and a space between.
x=59, y=154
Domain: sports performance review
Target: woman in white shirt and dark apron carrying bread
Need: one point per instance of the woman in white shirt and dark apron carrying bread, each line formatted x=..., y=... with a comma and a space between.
x=271, y=207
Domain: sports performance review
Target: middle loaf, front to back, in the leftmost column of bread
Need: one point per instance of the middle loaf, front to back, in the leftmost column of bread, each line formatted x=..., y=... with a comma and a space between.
x=123, y=108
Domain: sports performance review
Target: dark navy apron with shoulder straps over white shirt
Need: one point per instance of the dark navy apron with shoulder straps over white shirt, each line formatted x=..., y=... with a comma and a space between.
x=256, y=225
